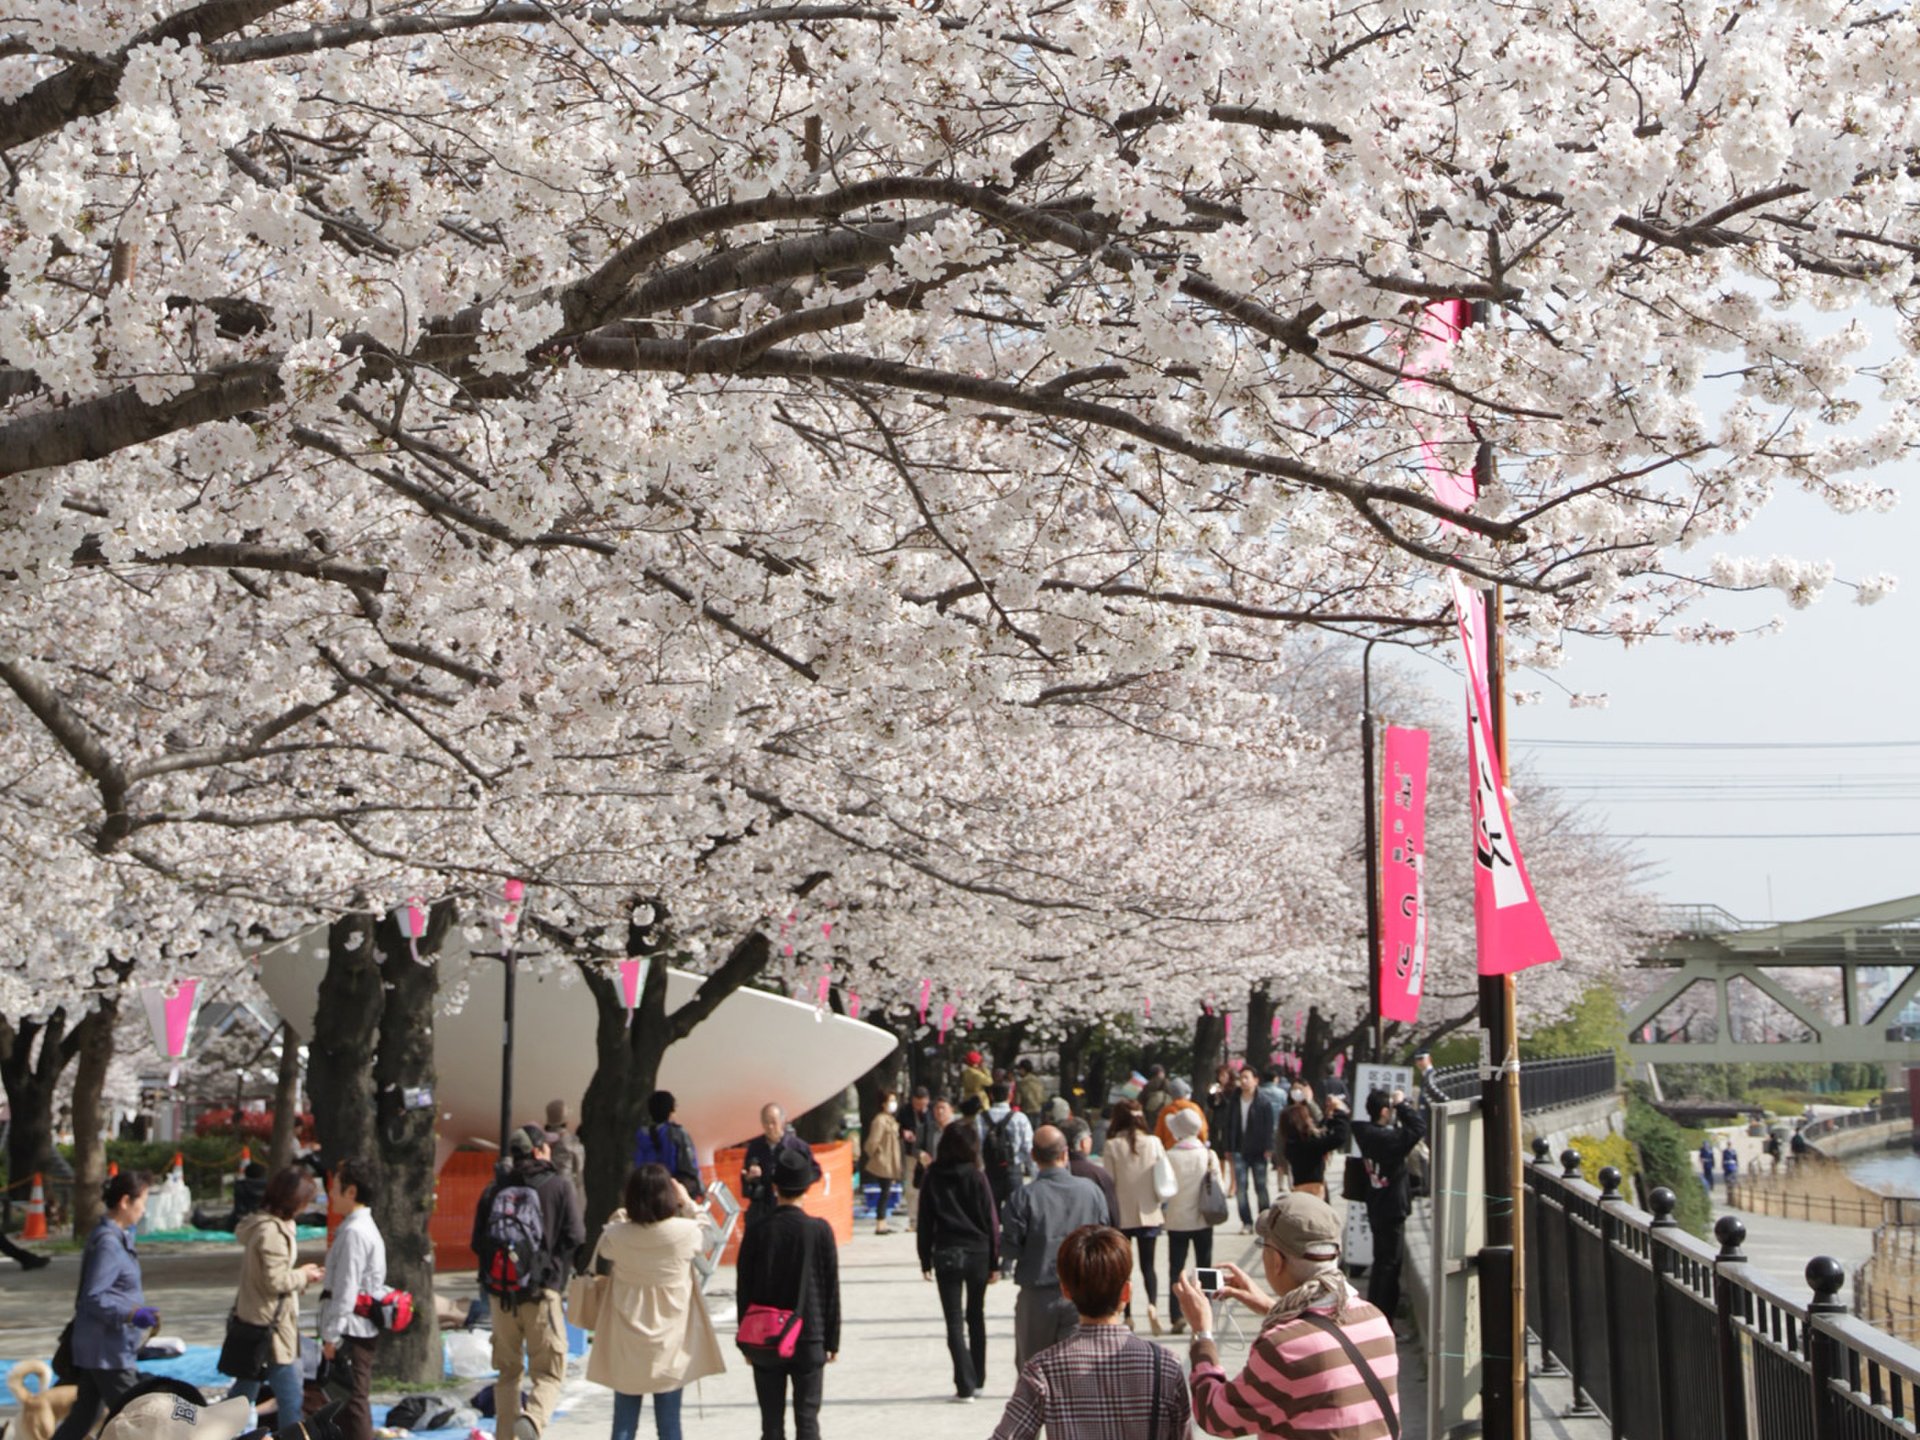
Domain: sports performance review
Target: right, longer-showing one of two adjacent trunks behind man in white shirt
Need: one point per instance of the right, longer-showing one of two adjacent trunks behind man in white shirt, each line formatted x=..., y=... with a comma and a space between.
x=406, y=1111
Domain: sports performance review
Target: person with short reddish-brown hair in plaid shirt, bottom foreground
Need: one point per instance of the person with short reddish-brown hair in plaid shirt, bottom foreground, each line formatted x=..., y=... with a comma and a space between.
x=1103, y=1380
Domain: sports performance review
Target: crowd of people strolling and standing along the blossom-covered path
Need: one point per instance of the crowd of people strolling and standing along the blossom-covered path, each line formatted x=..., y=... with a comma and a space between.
x=1007, y=1186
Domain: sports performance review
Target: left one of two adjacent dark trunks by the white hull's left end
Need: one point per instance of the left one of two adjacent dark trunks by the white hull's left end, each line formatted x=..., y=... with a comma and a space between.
x=347, y=1024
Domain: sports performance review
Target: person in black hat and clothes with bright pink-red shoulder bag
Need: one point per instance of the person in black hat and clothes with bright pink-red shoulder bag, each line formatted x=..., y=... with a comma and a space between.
x=773, y=1259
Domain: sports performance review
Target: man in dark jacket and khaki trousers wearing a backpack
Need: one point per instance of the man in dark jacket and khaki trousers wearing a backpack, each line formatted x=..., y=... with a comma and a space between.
x=525, y=1274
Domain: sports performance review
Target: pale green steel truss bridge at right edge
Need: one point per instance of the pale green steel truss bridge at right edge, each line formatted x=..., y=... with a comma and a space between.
x=1825, y=990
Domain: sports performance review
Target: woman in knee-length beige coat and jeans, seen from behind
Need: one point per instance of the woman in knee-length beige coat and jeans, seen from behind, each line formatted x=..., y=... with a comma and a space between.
x=654, y=1333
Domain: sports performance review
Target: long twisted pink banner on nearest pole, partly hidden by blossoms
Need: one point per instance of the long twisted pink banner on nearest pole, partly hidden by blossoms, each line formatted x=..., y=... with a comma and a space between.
x=1510, y=926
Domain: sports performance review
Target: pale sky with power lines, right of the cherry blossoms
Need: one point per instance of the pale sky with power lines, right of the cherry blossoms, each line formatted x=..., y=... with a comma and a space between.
x=1827, y=815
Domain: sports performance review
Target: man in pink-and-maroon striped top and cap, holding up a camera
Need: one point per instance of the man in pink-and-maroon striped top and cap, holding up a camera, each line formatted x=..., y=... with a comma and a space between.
x=1324, y=1364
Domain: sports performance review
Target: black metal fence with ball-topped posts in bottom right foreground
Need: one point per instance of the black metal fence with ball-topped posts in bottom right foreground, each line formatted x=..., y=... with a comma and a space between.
x=1671, y=1339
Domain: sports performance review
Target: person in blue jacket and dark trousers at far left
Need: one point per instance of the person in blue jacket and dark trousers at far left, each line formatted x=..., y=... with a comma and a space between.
x=110, y=1314
